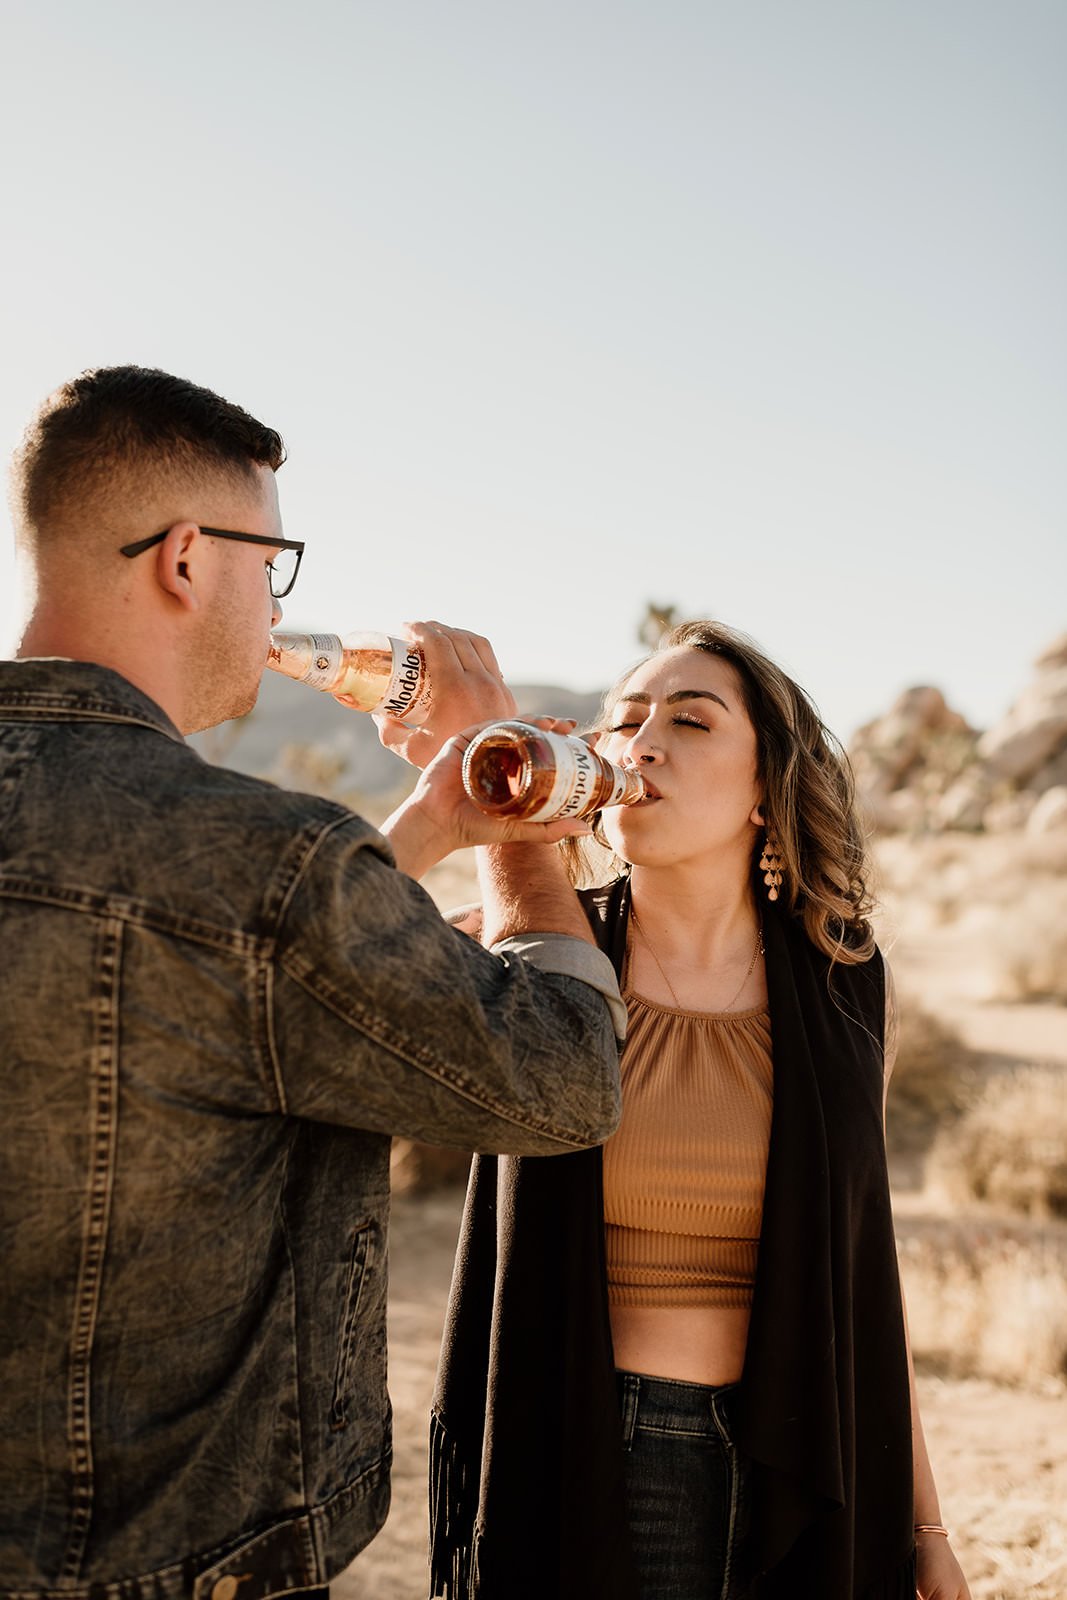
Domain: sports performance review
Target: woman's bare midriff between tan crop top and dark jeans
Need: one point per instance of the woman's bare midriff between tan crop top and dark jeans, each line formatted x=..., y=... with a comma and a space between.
x=690, y=1343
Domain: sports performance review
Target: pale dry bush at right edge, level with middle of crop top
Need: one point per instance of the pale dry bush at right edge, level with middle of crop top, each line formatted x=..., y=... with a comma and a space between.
x=1010, y=1146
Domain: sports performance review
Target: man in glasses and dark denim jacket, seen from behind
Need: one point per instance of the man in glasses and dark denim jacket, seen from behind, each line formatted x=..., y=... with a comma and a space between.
x=220, y=1001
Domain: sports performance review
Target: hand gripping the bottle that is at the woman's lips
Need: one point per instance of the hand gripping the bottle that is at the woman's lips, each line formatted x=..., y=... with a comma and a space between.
x=439, y=817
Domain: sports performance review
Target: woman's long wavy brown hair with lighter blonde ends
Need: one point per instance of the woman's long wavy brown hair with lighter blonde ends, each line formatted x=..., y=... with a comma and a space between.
x=810, y=798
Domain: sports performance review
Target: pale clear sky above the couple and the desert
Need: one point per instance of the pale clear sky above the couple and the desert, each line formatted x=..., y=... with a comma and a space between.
x=754, y=308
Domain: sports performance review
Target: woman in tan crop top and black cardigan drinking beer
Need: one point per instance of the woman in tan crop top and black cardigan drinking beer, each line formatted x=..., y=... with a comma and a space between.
x=679, y=1367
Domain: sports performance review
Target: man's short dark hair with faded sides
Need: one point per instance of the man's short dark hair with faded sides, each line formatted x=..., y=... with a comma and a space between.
x=121, y=425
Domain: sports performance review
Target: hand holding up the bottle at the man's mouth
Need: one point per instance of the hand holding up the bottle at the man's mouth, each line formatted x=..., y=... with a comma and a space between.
x=466, y=687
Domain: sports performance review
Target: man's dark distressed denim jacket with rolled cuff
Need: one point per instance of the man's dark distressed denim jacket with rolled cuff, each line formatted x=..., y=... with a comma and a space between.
x=218, y=1001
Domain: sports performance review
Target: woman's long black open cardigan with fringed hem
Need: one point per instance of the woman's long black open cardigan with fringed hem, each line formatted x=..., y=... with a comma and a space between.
x=527, y=1470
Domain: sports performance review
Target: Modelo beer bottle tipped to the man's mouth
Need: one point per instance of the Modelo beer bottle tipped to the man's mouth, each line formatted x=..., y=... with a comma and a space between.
x=366, y=671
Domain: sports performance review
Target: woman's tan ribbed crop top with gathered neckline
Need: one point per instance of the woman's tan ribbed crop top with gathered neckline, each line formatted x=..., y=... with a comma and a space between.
x=684, y=1174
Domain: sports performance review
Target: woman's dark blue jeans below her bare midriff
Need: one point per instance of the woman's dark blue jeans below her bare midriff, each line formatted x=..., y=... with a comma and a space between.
x=685, y=1487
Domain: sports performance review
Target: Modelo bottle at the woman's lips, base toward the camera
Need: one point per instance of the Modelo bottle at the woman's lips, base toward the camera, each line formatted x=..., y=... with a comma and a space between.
x=514, y=770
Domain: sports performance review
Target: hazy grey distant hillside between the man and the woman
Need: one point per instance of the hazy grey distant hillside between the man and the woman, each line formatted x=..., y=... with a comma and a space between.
x=300, y=738
